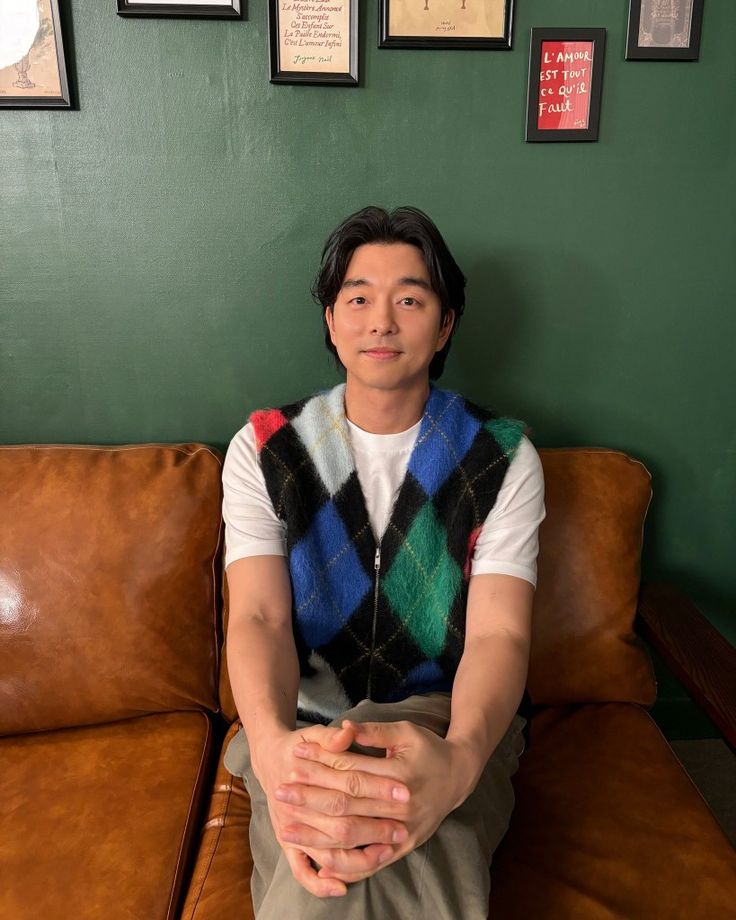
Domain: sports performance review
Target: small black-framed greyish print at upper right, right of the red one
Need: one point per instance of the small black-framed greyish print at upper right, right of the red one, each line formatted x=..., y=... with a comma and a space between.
x=664, y=30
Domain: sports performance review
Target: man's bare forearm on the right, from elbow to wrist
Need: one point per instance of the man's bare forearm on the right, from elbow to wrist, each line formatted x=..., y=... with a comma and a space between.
x=488, y=688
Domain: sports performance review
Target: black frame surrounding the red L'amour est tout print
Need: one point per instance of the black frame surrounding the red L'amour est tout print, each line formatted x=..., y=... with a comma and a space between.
x=538, y=37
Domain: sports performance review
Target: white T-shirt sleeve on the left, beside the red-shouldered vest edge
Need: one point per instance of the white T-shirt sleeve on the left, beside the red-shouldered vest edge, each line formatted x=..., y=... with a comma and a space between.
x=252, y=527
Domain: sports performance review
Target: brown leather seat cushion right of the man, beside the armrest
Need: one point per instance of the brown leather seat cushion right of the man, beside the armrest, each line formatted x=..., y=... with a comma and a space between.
x=607, y=824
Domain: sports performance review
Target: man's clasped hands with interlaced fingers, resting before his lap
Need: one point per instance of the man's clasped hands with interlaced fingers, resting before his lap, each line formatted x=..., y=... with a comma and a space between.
x=351, y=813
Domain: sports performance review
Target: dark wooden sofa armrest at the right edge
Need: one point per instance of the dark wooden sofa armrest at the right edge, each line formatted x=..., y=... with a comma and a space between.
x=696, y=653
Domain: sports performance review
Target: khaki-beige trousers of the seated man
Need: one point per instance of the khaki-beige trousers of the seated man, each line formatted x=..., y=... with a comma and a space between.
x=446, y=878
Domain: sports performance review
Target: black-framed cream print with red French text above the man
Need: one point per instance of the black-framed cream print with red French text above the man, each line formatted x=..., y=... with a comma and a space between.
x=312, y=41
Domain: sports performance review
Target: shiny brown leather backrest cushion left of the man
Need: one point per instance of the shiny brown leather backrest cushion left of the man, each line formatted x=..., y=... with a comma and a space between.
x=110, y=562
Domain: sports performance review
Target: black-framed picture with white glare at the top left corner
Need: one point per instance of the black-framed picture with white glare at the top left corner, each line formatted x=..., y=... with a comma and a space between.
x=33, y=71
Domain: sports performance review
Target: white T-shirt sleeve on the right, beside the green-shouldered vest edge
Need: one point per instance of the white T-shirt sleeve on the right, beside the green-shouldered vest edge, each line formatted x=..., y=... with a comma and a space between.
x=508, y=543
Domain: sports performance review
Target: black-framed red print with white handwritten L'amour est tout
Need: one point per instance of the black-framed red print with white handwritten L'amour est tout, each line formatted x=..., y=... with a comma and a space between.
x=565, y=75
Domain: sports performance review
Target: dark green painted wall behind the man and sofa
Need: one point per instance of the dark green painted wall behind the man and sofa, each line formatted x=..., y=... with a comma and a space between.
x=157, y=246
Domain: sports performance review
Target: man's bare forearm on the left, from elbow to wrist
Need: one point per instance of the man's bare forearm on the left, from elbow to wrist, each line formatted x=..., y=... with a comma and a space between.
x=264, y=676
